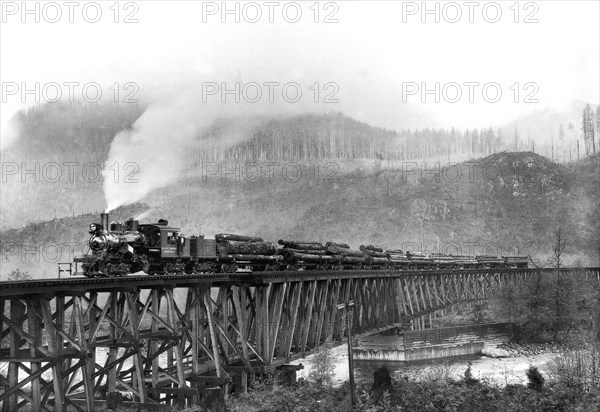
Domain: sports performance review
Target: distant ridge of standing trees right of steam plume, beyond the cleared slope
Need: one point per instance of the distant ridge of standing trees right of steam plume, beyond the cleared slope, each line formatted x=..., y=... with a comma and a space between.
x=335, y=136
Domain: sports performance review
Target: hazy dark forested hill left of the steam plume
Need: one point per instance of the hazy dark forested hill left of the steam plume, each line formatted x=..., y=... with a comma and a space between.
x=54, y=168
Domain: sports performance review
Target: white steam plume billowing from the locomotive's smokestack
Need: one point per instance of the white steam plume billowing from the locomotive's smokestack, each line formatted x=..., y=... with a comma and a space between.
x=153, y=153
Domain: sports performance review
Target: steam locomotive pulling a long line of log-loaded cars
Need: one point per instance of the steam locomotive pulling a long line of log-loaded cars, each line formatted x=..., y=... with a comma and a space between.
x=118, y=249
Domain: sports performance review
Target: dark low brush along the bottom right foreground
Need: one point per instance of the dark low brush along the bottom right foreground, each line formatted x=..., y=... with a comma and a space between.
x=467, y=394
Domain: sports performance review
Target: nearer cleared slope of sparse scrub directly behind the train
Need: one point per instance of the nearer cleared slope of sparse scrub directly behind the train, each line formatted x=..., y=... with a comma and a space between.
x=503, y=204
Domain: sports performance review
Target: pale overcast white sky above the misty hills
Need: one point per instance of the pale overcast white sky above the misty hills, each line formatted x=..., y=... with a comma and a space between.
x=370, y=60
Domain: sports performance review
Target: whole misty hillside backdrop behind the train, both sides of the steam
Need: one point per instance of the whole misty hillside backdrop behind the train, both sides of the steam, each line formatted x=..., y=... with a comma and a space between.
x=312, y=176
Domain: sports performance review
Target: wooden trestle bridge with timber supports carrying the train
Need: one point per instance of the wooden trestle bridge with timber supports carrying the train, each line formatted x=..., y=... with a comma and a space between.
x=73, y=344
